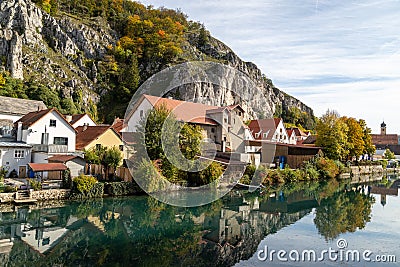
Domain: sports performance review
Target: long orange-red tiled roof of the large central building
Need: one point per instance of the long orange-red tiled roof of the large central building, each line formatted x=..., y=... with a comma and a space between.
x=183, y=110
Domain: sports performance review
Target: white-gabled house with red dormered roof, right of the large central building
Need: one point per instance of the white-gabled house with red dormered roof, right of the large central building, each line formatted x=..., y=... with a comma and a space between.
x=269, y=129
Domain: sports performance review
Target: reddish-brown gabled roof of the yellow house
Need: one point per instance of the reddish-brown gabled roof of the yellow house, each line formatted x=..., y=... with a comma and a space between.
x=87, y=134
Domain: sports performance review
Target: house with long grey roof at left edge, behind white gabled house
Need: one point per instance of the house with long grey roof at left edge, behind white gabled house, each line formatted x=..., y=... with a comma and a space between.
x=12, y=109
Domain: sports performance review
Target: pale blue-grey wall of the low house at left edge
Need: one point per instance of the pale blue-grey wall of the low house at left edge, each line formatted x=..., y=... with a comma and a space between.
x=9, y=162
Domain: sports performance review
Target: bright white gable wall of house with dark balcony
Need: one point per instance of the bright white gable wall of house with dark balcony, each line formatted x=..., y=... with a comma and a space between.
x=33, y=135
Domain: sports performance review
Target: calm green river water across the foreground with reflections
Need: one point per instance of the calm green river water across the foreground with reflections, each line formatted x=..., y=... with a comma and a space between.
x=304, y=224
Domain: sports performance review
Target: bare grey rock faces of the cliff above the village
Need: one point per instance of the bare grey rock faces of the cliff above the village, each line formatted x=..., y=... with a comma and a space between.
x=65, y=52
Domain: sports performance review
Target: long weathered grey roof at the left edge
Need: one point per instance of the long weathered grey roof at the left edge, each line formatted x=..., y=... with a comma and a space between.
x=19, y=107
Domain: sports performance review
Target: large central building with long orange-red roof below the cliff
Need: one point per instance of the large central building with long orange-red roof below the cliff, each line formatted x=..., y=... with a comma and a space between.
x=216, y=122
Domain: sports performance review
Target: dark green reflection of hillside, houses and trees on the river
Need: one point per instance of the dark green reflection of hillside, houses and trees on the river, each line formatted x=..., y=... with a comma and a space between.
x=140, y=231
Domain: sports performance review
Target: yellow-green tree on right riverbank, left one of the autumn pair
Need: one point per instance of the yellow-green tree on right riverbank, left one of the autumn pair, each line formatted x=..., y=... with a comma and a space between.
x=332, y=135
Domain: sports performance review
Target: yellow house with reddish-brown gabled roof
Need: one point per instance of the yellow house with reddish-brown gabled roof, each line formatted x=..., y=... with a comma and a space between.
x=97, y=136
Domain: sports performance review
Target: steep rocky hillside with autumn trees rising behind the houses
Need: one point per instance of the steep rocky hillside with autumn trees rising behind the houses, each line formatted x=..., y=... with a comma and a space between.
x=92, y=55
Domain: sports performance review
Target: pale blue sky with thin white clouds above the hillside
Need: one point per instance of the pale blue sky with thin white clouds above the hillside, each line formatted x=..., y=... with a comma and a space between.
x=330, y=54
